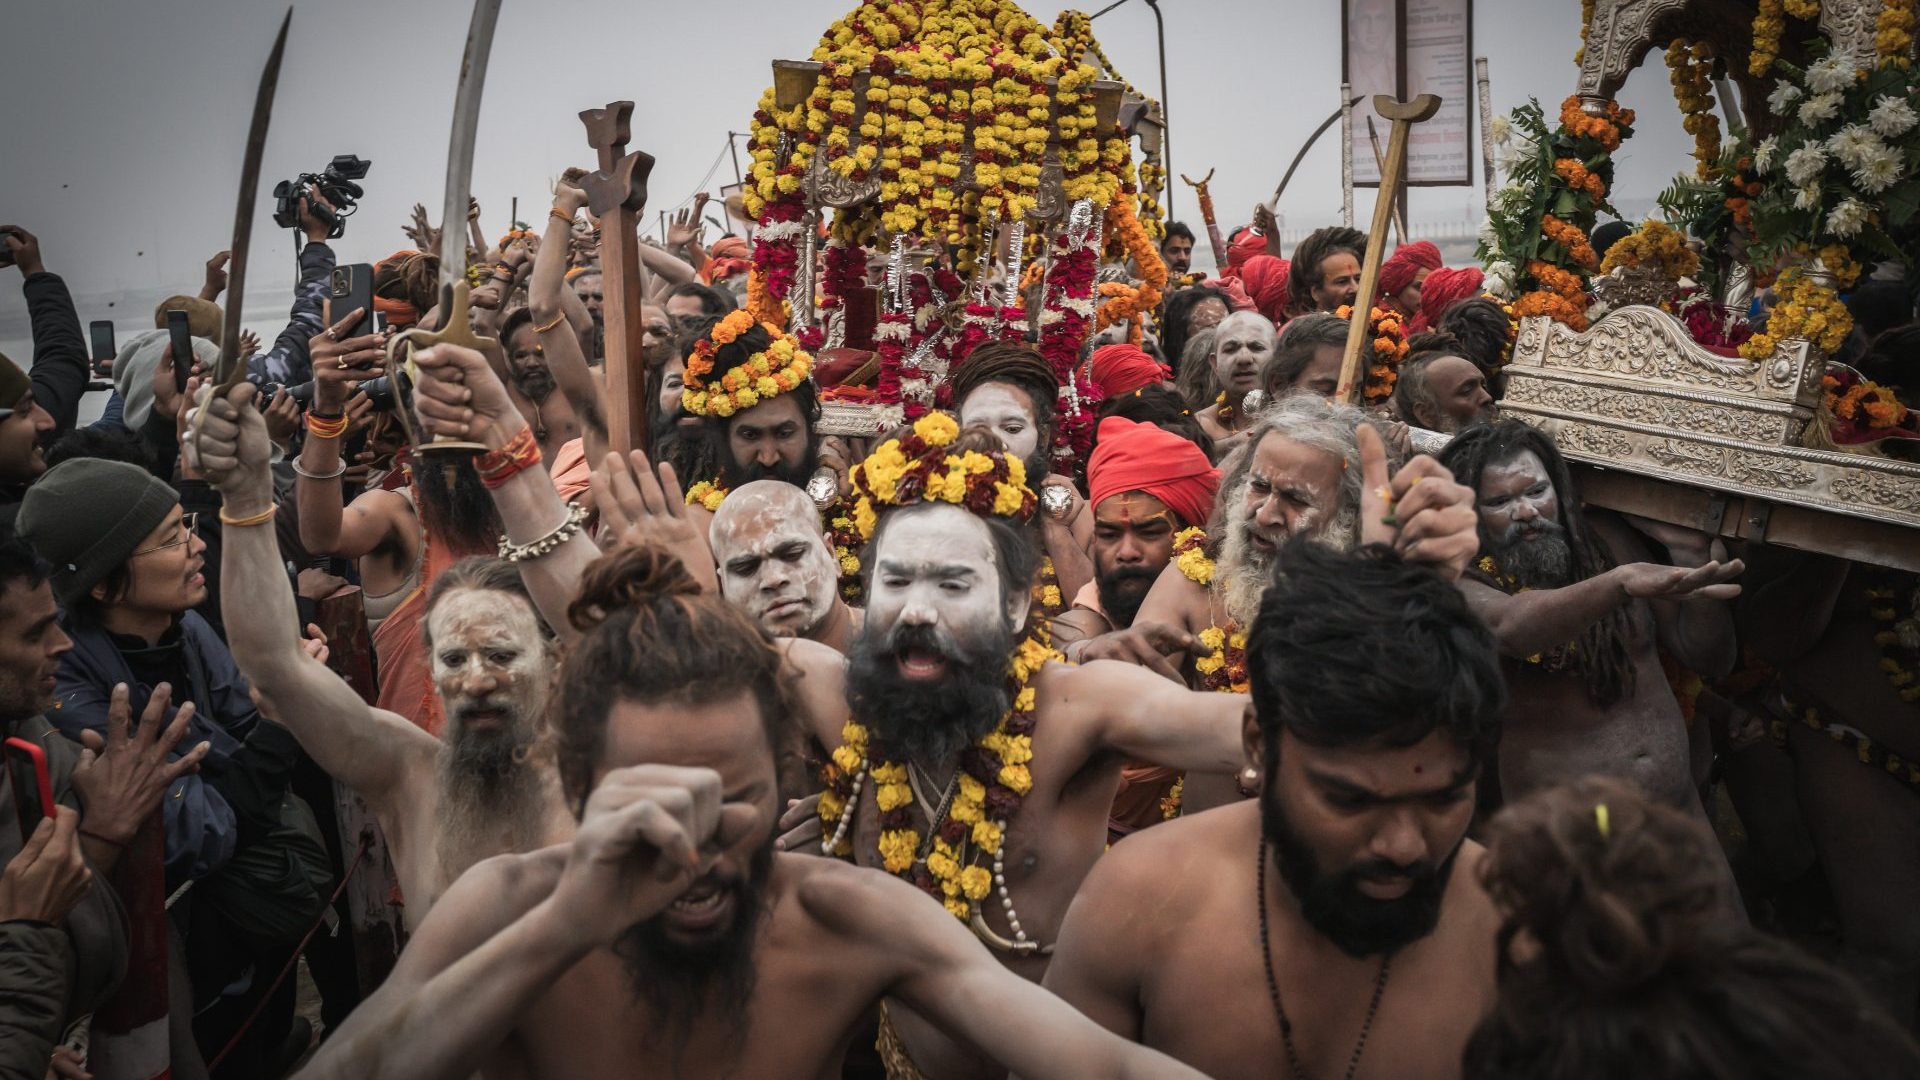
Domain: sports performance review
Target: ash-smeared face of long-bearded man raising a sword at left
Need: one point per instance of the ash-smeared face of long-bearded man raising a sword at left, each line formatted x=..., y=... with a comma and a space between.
x=491, y=664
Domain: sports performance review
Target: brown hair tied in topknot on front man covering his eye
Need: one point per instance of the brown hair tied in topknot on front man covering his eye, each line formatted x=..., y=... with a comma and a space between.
x=650, y=635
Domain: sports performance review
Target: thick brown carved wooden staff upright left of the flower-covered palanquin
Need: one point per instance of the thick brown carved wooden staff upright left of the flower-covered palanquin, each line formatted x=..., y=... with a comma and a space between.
x=617, y=195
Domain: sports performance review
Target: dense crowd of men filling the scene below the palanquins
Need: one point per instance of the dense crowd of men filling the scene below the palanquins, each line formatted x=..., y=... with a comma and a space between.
x=769, y=752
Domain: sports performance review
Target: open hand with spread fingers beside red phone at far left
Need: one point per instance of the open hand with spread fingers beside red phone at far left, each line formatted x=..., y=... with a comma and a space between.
x=124, y=777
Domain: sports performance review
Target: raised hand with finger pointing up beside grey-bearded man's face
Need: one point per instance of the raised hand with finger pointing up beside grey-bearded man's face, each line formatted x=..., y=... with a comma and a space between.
x=1420, y=512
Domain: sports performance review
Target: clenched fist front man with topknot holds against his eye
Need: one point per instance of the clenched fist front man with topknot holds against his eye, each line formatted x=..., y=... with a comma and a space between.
x=648, y=833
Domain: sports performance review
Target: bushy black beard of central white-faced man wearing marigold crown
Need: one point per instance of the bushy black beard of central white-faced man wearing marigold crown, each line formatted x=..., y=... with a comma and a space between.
x=928, y=722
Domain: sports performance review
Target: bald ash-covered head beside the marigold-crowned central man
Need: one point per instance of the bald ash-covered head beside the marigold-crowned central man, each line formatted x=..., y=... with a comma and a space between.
x=775, y=560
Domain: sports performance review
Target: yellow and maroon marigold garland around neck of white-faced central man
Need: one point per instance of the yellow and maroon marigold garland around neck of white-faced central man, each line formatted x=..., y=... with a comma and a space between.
x=996, y=775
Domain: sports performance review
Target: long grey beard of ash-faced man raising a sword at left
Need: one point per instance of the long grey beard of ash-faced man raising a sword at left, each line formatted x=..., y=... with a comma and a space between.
x=489, y=812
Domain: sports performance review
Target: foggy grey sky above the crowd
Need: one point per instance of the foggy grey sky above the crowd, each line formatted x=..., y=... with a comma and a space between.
x=128, y=120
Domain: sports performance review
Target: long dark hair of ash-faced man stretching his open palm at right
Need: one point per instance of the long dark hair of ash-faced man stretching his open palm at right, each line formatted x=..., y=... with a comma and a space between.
x=1602, y=650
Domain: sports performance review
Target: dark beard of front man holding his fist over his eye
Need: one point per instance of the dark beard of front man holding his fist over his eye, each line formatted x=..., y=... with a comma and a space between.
x=679, y=983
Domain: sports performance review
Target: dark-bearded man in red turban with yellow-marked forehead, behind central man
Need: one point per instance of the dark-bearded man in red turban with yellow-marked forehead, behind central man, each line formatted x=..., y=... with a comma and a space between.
x=1145, y=487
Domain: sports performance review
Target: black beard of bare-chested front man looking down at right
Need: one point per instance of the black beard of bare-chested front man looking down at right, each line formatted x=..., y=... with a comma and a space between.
x=1332, y=904
